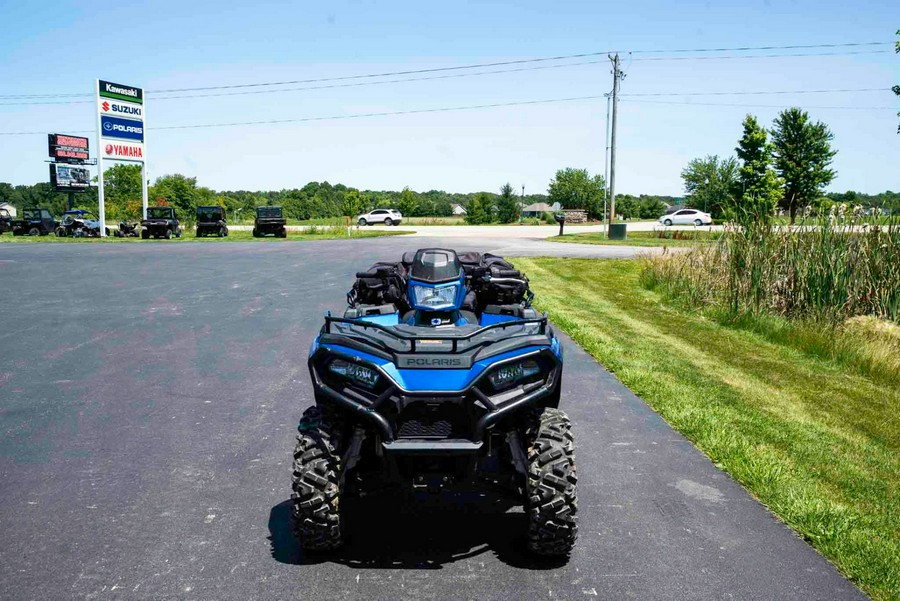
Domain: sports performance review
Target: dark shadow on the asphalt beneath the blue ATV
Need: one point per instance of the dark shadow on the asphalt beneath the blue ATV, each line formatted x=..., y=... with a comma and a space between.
x=396, y=531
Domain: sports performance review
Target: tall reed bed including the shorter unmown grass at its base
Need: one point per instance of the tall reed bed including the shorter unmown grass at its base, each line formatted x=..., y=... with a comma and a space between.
x=831, y=289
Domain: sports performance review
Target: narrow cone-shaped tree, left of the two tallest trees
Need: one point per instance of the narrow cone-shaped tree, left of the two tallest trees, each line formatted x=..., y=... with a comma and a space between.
x=757, y=189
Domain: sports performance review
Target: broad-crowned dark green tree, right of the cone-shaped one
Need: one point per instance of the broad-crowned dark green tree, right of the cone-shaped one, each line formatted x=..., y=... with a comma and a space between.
x=802, y=153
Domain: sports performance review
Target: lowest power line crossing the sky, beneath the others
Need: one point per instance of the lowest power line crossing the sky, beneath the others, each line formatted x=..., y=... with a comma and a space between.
x=442, y=110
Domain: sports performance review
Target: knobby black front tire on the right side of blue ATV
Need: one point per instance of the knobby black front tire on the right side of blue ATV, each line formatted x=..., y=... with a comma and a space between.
x=551, y=487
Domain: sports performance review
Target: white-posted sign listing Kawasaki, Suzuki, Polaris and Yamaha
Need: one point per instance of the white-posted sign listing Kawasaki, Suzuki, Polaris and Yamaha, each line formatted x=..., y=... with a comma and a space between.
x=120, y=134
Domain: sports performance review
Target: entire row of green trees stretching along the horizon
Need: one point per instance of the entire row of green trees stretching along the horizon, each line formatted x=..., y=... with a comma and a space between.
x=788, y=170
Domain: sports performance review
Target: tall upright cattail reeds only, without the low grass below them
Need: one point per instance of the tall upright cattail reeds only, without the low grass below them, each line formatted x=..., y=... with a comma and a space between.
x=827, y=272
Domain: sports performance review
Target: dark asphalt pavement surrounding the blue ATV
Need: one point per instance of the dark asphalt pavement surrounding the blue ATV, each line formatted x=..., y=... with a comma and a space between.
x=148, y=399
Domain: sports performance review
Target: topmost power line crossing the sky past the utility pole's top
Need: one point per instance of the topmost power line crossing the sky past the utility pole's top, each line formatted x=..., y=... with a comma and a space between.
x=476, y=66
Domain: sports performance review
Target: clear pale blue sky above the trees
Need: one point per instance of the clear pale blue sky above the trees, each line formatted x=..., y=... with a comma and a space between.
x=62, y=47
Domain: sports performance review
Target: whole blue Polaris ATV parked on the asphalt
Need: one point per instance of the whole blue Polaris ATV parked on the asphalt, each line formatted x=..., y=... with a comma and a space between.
x=439, y=375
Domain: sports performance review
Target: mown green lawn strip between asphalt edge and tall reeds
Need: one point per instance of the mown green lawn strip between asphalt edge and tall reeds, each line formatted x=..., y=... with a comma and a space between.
x=813, y=439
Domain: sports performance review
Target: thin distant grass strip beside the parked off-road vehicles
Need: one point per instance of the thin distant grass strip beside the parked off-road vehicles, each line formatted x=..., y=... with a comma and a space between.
x=233, y=236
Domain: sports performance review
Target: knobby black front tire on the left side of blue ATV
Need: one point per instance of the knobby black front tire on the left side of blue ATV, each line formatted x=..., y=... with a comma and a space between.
x=315, y=515
